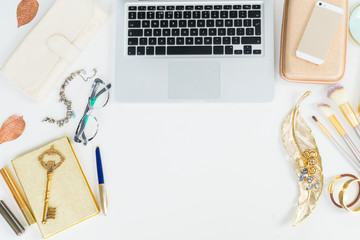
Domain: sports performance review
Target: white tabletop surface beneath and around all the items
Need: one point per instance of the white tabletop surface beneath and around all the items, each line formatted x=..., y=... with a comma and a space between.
x=182, y=171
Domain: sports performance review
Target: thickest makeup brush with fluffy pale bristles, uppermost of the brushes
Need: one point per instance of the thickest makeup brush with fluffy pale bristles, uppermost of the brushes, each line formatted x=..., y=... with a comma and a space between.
x=337, y=94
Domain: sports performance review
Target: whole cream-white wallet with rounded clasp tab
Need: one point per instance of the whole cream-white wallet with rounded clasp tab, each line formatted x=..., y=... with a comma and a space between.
x=53, y=45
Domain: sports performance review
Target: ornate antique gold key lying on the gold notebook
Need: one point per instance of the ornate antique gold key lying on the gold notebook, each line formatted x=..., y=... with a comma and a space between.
x=50, y=166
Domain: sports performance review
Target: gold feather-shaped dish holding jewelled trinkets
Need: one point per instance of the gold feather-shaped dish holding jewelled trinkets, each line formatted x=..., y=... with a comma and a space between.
x=305, y=158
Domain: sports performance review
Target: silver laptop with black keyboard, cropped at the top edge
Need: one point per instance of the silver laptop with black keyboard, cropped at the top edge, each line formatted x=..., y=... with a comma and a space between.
x=194, y=51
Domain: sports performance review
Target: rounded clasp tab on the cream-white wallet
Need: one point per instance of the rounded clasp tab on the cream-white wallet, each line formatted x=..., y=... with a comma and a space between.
x=63, y=48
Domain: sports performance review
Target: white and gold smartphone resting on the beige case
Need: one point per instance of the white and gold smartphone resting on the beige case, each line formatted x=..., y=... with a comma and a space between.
x=320, y=32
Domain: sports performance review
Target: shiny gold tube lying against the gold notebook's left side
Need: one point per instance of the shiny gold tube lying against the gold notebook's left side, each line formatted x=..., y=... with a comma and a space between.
x=17, y=196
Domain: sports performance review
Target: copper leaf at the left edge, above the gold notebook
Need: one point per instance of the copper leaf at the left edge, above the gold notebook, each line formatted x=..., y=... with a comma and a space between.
x=13, y=127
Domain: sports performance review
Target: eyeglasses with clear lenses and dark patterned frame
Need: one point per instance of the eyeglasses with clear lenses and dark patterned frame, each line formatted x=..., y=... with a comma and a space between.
x=88, y=125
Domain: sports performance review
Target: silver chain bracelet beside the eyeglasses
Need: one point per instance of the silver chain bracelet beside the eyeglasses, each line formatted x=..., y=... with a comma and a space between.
x=65, y=100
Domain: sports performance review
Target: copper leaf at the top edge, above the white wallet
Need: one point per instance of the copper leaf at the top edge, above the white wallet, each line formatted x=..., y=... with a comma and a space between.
x=26, y=11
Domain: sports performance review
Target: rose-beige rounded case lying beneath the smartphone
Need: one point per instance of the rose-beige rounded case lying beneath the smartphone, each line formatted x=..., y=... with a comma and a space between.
x=295, y=18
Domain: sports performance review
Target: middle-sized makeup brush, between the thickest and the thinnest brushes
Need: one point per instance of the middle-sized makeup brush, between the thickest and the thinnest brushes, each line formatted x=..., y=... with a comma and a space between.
x=326, y=110
